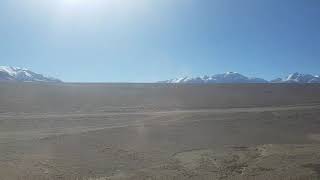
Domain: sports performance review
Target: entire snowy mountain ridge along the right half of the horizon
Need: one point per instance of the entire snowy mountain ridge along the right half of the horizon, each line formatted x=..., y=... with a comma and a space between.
x=234, y=77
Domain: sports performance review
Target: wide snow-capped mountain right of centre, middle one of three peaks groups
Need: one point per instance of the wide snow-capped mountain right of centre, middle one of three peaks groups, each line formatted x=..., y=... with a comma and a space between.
x=229, y=77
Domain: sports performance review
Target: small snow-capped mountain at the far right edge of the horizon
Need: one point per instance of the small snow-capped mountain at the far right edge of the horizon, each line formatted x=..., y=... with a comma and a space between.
x=298, y=78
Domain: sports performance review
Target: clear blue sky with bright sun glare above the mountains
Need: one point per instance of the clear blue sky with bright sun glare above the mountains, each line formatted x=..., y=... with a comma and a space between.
x=152, y=40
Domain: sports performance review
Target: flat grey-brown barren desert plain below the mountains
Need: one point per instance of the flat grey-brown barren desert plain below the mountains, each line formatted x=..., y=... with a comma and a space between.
x=159, y=131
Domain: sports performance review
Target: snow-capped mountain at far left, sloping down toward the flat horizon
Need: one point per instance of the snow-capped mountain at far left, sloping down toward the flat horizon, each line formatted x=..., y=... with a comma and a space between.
x=8, y=73
